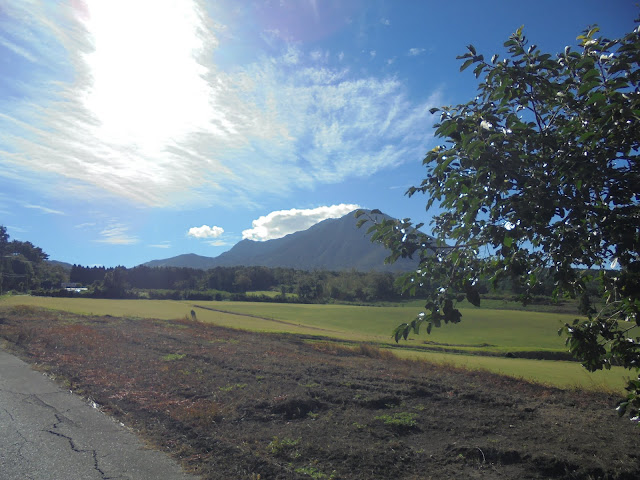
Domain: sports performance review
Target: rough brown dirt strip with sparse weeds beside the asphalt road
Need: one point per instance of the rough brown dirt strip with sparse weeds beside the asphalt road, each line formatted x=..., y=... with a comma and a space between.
x=236, y=405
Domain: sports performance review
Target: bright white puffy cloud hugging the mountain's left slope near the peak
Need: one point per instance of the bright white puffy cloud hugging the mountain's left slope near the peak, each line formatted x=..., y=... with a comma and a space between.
x=283, y=222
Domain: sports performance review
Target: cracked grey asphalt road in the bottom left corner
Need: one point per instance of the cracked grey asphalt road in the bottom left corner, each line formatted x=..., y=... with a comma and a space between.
x=49, y=433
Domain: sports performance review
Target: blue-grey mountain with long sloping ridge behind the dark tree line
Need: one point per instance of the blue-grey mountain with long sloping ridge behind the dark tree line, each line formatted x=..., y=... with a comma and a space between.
x=333, y=244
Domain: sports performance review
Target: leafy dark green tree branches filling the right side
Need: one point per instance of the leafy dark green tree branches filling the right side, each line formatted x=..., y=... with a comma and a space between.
x=538, y=175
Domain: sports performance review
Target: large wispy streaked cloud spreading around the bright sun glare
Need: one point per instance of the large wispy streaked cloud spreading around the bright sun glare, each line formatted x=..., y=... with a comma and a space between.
x=151, y=118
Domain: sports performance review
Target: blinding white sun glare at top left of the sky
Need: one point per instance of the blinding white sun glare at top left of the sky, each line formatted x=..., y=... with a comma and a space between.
x=148, y=88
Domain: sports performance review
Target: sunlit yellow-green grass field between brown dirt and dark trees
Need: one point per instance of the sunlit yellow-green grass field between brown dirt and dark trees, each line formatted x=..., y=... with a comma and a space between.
x=489, y=333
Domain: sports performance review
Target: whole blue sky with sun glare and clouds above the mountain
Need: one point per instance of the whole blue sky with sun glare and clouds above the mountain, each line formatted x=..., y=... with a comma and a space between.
x=132, y=130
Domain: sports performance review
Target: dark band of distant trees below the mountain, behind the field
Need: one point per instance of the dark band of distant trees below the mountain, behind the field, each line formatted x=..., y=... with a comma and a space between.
x=166, y=282
